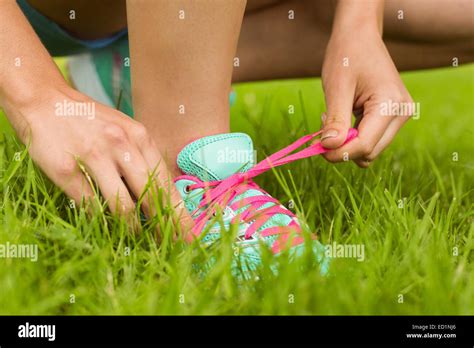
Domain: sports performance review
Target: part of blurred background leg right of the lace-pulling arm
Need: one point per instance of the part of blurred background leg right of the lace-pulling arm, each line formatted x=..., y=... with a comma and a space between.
x=431, y=34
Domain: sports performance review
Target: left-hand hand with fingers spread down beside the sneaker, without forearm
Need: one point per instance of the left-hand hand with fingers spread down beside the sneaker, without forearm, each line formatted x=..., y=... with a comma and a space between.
x=63, y=126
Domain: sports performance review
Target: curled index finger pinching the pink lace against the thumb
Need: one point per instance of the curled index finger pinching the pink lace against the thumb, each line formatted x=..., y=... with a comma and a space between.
x=371, y=128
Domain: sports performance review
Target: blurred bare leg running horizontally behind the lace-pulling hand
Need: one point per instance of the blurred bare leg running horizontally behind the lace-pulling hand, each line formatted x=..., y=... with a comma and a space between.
x=273, y=46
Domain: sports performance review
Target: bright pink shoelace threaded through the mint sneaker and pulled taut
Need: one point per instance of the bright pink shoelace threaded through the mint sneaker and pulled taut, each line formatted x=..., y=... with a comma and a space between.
x=220, y=192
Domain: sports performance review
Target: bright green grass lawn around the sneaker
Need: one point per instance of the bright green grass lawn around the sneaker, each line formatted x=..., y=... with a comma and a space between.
x=412, y=211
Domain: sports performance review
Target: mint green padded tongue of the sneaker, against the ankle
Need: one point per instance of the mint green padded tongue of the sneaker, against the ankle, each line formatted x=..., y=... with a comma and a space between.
x=217, y=157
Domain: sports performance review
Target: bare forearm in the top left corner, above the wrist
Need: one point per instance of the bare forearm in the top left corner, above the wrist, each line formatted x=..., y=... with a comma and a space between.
x=27, y=71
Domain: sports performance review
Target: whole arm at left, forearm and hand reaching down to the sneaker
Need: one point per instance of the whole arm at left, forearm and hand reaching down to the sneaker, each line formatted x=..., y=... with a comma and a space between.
x=118, y=152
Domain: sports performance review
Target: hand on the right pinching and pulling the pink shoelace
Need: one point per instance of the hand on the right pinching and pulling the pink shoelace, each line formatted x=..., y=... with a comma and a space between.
x=360, y=77
